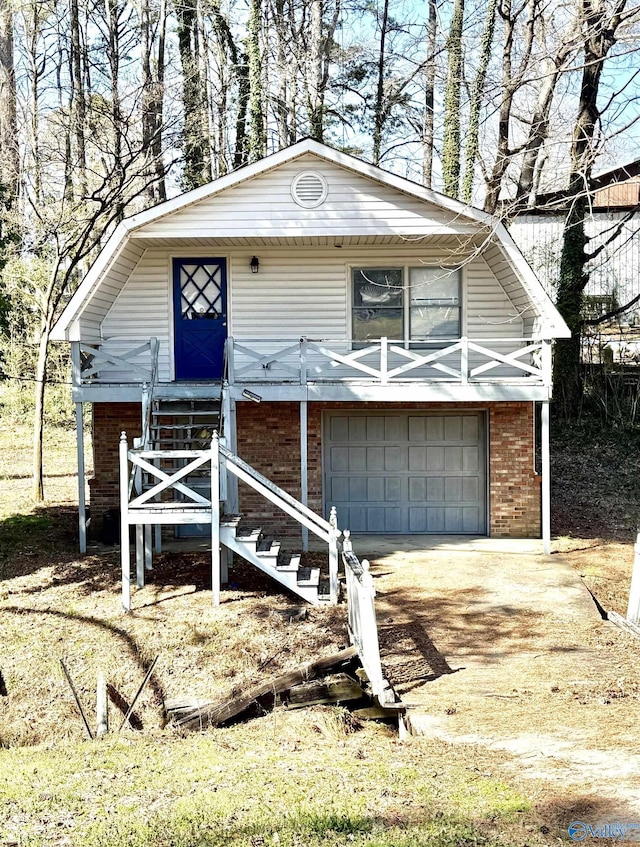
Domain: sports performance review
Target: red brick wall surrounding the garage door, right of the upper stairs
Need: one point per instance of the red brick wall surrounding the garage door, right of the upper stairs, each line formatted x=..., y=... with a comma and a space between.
x=269, y=439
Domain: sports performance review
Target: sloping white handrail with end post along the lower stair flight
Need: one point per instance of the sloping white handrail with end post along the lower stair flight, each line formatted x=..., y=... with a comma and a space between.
x=326, y=530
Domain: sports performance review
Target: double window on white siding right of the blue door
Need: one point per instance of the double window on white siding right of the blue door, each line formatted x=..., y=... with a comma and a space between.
x=418, y=303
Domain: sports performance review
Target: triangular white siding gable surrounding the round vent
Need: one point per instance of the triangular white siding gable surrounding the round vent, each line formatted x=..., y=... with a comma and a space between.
x=263, y=206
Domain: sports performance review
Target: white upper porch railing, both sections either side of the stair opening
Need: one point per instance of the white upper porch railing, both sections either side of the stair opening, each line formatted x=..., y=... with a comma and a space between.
x=382, y=361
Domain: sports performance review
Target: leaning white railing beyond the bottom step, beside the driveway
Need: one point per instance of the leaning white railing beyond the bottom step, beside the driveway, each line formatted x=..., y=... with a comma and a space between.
x=363, y=627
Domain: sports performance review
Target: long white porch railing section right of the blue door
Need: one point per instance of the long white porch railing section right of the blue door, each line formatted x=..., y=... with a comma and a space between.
x=385, y=361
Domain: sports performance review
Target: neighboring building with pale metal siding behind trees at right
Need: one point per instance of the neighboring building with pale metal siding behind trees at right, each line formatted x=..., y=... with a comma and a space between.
x=614, y=276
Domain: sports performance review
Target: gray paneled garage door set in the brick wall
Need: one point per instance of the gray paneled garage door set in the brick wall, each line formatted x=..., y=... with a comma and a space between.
x=406, y=472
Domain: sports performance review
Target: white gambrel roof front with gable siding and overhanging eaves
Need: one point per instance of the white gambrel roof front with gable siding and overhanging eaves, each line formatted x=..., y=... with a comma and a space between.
x=254, y=206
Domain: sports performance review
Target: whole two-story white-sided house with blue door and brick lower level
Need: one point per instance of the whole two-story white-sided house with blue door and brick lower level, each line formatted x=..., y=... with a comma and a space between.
x=375, y=347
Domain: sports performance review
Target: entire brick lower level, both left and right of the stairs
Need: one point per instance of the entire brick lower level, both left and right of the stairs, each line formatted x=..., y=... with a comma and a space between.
x=269, y=439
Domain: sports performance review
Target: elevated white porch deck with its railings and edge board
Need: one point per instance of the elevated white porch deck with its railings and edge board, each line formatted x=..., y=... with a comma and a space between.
x=333, y=370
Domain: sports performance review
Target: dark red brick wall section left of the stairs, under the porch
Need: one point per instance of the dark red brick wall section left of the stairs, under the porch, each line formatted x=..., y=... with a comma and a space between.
x=109, y=420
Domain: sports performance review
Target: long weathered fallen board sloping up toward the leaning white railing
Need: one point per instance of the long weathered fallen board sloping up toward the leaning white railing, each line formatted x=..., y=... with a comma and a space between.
x=214, y=714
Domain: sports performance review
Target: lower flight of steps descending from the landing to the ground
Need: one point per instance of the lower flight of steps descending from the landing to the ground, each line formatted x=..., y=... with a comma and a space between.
x=265, y=554
